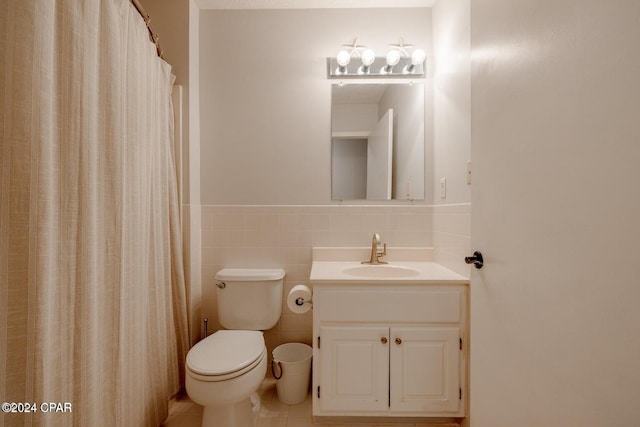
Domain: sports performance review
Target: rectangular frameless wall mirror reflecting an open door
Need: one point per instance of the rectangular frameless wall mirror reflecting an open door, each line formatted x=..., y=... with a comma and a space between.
x=377, y=141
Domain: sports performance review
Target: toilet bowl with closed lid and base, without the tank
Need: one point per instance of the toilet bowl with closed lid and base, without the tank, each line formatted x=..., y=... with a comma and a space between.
x=223, y=371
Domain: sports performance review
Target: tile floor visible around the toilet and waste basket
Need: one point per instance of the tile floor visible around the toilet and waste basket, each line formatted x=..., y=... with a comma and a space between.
x=184, y=413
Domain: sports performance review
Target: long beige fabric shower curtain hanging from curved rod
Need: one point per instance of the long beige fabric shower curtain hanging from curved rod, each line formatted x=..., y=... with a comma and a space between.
x=92, y=295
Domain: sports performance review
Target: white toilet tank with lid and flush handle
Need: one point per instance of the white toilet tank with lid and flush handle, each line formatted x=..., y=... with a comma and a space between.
x=249, y=298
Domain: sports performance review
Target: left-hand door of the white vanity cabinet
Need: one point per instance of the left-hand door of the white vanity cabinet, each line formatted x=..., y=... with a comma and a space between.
x=354, y=370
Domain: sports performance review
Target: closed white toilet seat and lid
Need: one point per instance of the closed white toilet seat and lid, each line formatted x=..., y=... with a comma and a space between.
x=226, y=354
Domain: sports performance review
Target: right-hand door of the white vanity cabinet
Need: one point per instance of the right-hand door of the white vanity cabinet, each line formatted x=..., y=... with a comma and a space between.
x=425, y=366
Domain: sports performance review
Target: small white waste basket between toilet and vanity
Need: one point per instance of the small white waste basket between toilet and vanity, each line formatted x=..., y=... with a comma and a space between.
x=291, y=367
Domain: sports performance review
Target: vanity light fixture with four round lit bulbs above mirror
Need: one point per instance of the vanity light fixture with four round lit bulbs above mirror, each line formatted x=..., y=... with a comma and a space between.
x=397, y=63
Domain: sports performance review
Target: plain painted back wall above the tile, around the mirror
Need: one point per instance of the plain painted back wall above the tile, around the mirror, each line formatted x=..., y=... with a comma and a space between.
x=265, y=97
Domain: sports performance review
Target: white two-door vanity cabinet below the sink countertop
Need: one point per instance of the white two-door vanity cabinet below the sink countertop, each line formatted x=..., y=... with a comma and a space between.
x=389, y=350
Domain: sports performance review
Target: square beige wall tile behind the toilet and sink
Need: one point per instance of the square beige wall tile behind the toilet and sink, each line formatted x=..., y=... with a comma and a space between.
x=283, y=236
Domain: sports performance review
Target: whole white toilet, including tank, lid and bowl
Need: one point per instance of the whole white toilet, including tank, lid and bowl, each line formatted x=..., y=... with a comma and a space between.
x=225, y=370
